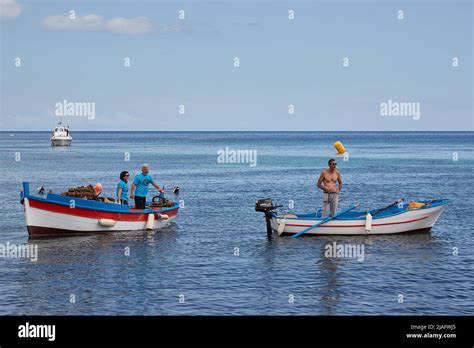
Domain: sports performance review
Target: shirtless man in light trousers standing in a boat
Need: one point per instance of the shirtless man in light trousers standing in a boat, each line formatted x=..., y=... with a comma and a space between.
x=327, y=183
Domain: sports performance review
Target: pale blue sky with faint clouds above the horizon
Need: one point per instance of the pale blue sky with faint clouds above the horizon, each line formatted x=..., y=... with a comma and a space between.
x=330, y=67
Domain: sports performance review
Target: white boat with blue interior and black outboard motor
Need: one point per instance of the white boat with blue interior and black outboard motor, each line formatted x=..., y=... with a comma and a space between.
x=398, y=217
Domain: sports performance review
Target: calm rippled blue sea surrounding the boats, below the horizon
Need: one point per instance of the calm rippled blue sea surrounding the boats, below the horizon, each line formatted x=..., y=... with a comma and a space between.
x=193, y=259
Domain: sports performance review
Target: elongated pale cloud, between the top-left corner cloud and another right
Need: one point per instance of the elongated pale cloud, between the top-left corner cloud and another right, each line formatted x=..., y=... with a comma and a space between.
x=90, y=22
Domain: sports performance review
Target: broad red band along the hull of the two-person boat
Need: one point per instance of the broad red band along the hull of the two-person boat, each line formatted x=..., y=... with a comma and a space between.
x=93, y=214
